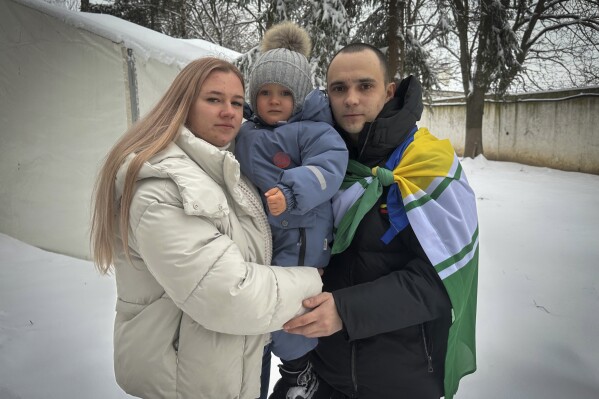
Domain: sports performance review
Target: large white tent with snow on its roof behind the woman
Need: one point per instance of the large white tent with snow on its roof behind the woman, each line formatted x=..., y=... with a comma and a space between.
x=70, y=85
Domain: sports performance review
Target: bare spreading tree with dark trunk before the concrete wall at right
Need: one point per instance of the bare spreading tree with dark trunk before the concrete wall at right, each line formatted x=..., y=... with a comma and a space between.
x=497, y=39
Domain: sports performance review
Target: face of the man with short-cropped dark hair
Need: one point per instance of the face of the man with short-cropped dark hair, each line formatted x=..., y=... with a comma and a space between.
x=357, y=90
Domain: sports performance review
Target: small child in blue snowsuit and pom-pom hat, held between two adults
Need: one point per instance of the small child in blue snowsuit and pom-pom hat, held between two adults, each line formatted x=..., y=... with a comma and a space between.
x=291, y=152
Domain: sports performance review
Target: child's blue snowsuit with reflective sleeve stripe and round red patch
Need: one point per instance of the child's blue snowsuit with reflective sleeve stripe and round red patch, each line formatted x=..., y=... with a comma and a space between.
x=306, y=159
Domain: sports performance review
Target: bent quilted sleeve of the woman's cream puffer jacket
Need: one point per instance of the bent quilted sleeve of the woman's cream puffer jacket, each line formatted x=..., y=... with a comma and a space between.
x=205, y=274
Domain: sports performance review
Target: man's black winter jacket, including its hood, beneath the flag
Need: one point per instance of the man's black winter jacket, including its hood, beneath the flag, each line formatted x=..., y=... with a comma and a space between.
x=395, y=310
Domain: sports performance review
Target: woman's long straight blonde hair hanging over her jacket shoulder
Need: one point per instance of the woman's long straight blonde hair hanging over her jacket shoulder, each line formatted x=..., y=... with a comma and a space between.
x=147, y=137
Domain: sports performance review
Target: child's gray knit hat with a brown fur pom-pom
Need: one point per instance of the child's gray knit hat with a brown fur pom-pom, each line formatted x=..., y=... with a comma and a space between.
x=283, y=61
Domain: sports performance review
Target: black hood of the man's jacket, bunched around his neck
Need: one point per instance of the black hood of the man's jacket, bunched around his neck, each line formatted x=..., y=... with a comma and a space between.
x=378, y=139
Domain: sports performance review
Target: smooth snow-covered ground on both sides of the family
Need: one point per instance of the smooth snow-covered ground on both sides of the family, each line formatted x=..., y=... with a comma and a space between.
x=538, y=324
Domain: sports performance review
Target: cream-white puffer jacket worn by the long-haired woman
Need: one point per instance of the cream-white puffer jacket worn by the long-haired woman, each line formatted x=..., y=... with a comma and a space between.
x=195, y=307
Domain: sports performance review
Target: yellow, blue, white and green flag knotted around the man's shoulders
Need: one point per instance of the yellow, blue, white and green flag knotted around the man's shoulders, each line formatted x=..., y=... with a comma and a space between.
x=430, y=192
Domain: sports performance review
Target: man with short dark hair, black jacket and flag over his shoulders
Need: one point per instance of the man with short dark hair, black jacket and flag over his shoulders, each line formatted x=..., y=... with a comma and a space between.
x=384, y=315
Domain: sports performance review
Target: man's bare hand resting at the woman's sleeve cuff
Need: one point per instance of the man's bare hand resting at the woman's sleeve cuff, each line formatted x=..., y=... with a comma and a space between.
x=323, y=320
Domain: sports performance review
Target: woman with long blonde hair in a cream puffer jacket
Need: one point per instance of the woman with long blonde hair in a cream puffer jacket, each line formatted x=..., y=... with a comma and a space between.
x=188, y=239
